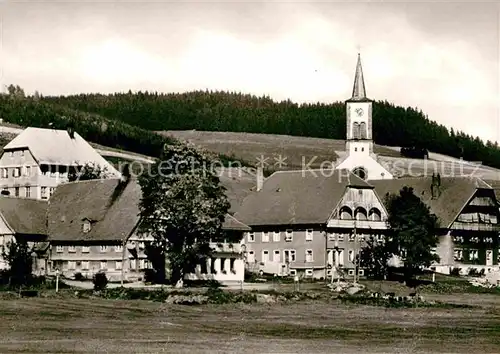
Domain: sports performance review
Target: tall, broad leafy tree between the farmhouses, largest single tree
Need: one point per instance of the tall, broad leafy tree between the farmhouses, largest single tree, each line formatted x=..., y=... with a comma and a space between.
x=183, y=207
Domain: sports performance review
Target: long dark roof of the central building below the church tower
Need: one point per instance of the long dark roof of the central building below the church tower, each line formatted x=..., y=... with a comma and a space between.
x=297, y=197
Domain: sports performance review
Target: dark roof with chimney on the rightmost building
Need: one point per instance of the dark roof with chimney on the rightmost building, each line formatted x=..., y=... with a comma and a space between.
x=455, y=193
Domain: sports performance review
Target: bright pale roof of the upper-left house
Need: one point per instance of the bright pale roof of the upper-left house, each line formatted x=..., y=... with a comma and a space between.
x=50, y=146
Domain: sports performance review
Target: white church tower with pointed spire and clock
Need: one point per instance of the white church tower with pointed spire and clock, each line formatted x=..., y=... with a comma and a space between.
x=360, y=157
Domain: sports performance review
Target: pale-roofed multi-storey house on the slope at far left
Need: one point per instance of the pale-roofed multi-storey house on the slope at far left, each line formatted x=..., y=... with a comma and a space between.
x=36, y=161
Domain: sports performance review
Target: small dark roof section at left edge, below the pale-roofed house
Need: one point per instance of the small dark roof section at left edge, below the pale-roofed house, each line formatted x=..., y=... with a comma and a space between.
x=24, y=216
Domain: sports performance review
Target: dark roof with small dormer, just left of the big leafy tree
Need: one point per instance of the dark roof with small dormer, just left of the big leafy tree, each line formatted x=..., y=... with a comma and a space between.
x=113, y=217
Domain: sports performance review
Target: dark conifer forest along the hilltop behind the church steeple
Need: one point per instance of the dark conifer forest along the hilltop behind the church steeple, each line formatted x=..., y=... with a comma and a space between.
x=224, y=111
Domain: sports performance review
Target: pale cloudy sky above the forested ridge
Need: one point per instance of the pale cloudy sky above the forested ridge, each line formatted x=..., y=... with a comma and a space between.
x=442, y=58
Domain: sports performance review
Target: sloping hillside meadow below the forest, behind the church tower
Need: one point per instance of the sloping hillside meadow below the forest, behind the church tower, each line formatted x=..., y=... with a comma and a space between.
x=302, y=151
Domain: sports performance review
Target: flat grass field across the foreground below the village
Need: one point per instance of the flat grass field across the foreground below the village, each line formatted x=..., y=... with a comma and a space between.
x=111, y=326
